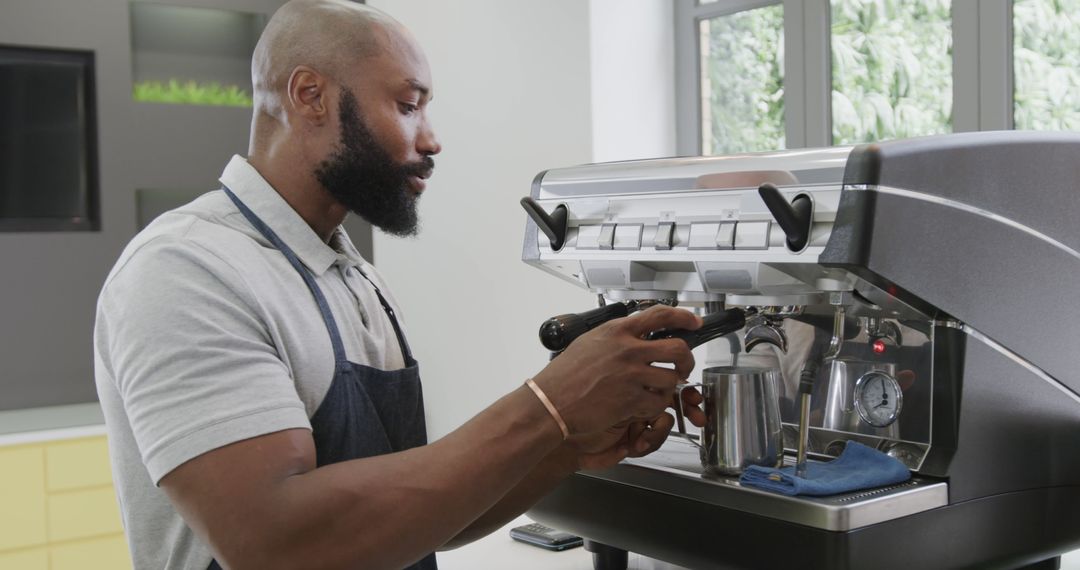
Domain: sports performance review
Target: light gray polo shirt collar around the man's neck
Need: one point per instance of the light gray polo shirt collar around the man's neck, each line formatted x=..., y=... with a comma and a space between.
x=259, y=196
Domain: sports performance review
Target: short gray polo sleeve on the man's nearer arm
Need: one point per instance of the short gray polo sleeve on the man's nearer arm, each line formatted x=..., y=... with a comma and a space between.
x=186, y=345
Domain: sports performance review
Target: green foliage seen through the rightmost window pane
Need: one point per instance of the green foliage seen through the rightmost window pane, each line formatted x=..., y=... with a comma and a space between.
x=1047, y=65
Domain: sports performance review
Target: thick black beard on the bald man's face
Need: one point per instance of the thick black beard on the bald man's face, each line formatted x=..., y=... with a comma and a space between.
x=363, y=178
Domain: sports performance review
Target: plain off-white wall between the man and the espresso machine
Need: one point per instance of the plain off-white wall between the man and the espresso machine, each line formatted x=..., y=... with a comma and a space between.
x=512, y=99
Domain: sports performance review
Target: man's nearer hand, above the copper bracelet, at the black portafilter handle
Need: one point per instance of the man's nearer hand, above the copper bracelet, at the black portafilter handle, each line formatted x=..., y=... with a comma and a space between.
x=606, y=377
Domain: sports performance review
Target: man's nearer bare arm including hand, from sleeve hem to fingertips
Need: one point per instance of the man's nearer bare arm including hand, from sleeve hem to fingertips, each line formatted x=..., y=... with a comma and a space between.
x=262, y=504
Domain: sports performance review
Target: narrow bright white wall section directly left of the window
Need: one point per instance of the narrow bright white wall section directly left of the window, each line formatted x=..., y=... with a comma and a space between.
x=632, y=48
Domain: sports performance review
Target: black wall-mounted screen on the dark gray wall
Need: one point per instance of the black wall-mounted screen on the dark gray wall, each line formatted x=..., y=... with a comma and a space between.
x=48, y=141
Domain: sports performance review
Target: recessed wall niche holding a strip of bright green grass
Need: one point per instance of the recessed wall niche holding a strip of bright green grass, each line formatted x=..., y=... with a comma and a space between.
x=193, y=56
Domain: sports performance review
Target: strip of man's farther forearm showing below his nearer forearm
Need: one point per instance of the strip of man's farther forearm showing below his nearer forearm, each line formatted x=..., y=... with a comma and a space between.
x=549, y=473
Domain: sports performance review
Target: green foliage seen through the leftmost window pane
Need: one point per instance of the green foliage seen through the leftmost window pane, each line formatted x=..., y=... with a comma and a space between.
x=744, y=82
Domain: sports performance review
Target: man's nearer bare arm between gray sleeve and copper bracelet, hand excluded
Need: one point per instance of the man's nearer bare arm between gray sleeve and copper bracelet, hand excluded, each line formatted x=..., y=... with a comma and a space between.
x=385, y=511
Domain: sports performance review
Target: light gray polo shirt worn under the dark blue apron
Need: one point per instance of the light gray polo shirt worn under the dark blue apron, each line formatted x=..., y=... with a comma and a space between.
x=207, y=336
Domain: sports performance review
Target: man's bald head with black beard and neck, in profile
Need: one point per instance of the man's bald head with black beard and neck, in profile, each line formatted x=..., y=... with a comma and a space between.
x=341, y=123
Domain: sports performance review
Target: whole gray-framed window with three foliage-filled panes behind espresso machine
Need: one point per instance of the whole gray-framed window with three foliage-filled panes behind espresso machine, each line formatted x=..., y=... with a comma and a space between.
x=862, y=71
